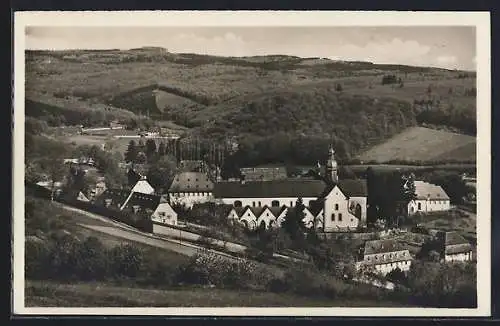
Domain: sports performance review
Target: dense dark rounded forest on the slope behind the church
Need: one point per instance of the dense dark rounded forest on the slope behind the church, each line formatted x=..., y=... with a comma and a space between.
x=358, y=120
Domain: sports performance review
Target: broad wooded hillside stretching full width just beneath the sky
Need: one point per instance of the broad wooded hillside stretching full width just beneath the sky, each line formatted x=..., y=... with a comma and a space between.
x=255, y=96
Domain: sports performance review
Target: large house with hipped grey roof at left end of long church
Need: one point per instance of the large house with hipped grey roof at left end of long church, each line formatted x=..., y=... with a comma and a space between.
x=189, y=188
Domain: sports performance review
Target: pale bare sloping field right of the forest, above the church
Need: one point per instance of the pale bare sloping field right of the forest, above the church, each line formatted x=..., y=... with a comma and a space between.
x=423, y=144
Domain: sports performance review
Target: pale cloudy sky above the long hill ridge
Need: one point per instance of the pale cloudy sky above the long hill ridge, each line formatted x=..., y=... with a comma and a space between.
x=451, y=47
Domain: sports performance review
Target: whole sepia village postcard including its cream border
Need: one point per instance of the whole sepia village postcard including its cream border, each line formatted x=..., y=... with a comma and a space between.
x=252, y=163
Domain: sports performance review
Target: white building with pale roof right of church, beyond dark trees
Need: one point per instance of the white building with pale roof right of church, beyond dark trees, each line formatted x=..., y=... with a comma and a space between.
x=430, y=198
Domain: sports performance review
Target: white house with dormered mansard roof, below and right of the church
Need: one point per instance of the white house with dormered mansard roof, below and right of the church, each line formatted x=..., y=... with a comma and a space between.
x=384, y=256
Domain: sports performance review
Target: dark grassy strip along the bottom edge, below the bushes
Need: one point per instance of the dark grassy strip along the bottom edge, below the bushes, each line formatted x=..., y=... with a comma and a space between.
x=51, y=294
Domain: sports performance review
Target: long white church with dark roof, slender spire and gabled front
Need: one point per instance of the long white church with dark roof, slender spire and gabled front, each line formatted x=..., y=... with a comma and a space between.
x=335, y=205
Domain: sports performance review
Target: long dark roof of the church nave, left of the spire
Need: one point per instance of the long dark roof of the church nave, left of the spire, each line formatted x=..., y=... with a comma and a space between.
x=270, y=189
